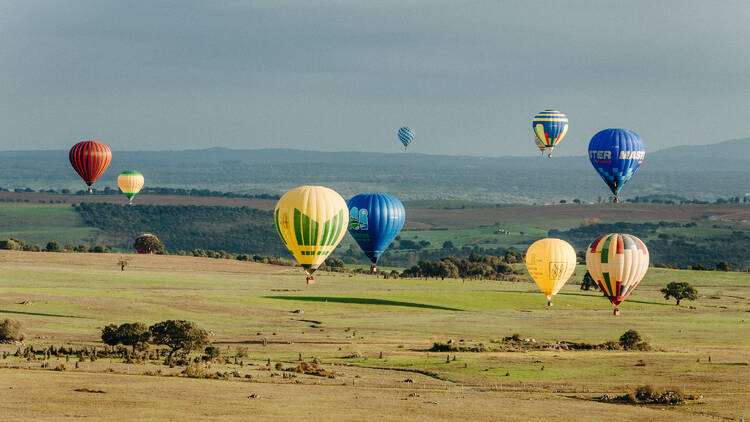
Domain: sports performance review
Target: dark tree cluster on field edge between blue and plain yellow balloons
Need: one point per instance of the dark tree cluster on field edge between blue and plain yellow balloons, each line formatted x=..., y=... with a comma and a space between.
x=479, y=267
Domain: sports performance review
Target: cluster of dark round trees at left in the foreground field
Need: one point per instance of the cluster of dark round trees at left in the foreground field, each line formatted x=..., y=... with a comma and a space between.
x=179, y=336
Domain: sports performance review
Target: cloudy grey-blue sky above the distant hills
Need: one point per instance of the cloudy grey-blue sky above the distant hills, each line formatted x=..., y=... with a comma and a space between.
x=466, y=76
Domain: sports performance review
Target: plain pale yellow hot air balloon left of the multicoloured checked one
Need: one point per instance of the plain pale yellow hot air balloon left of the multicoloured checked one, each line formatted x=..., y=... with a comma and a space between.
x=550, y=263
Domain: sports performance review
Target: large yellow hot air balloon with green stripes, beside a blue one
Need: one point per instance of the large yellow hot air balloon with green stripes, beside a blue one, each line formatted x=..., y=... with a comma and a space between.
x=311, y=221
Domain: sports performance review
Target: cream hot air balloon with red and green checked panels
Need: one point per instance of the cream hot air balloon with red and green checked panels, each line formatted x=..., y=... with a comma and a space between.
x=617, y=262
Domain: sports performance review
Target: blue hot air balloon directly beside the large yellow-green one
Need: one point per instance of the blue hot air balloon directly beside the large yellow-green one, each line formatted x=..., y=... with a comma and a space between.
x=374, y=220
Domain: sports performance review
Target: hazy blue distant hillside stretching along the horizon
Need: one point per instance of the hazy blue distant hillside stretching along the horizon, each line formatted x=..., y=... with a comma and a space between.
x=702, y=172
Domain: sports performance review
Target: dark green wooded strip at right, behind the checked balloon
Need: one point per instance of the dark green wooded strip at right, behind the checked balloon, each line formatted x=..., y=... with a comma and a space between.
x=674, y=249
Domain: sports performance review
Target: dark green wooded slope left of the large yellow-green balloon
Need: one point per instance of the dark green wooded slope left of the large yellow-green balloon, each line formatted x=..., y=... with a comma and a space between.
x=187, y=227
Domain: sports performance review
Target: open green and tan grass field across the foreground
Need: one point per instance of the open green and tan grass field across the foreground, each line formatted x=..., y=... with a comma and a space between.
x=348, y=321
